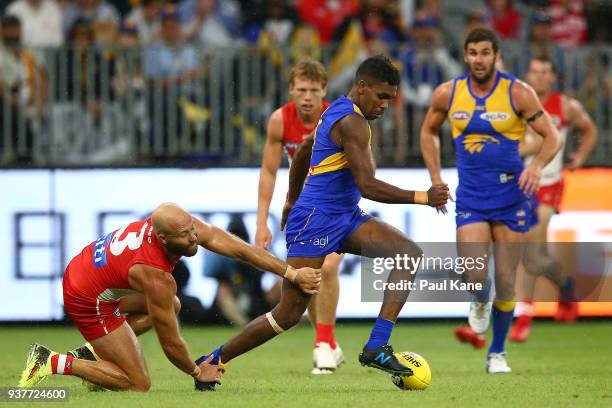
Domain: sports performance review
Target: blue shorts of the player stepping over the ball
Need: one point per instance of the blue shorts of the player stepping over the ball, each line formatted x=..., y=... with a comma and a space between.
x=312, y=232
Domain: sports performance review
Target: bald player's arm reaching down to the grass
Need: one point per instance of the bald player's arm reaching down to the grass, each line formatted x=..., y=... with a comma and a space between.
x=159, y=289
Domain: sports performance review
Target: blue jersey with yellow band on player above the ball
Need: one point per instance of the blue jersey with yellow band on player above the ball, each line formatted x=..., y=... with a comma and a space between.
x=330, y=184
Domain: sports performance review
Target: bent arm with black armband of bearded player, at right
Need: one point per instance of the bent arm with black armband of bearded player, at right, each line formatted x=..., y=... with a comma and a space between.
x=530, y=108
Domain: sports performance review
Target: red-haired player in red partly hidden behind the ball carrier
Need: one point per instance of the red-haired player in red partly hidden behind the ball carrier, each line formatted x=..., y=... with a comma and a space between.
x=287, y=128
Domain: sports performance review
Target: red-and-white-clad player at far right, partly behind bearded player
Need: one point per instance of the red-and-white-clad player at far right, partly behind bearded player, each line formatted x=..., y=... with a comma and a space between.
x=565, y=113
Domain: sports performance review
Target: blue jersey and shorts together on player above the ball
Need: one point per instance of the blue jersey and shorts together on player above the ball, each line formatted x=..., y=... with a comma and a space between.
x=327, y=210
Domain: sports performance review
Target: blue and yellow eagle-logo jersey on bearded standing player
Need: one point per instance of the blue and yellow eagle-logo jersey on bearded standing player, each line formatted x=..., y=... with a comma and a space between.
x=487, y=132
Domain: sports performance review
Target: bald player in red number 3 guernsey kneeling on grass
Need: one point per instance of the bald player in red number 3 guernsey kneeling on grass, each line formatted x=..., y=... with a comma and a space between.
x=128, y=271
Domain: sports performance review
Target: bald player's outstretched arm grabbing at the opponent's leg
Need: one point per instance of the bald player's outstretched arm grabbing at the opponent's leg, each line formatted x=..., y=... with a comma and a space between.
x=222, y=242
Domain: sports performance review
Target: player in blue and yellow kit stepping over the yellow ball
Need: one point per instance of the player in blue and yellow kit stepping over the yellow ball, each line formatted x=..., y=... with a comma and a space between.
x=326, y=217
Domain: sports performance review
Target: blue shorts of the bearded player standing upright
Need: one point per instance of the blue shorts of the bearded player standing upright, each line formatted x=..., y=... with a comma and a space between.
x=519, y=217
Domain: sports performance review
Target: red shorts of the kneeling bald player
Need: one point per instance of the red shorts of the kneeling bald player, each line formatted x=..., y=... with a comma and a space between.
x=93, y=317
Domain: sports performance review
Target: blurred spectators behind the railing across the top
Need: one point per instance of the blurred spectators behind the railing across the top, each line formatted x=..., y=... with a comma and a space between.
x=192, y=82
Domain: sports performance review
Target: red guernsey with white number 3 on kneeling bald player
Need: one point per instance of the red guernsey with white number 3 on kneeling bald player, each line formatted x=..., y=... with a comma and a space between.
x=100, y=271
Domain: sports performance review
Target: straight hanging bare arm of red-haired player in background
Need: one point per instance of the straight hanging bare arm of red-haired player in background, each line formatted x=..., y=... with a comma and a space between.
x=271, y=160
